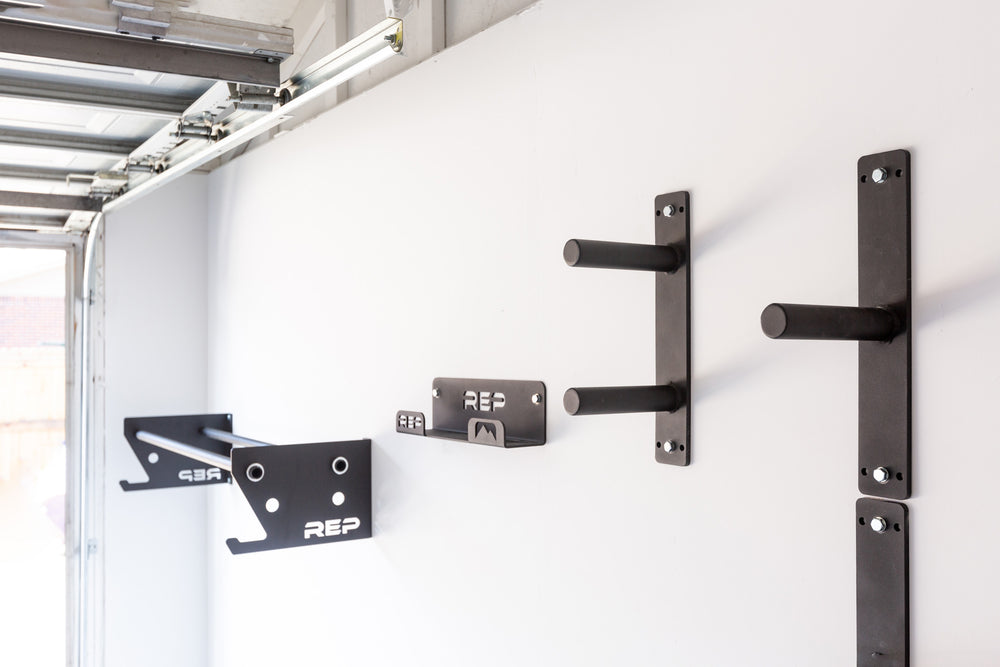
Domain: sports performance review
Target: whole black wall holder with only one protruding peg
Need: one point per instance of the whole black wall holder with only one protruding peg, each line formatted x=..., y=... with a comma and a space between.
x=881, y=323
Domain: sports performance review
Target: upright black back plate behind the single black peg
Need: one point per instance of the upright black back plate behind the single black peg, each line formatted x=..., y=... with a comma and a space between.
x=884, y=382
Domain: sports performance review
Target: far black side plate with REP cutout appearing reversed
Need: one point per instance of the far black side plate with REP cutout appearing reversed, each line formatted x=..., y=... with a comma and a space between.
x=165, y=468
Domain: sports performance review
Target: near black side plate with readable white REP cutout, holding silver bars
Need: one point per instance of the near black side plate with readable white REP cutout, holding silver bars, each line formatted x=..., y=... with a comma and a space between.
x=307, y=482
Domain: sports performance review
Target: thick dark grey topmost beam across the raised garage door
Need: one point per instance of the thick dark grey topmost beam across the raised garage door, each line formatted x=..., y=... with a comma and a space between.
x=46, y=41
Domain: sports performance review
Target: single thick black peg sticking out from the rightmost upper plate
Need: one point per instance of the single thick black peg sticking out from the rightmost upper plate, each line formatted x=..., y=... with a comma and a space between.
x=806, y=322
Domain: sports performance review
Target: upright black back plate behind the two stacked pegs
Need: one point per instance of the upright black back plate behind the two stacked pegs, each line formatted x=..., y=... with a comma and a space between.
x=673, y=328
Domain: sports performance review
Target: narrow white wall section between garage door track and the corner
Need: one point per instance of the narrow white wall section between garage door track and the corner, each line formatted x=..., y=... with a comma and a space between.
x=154, y=548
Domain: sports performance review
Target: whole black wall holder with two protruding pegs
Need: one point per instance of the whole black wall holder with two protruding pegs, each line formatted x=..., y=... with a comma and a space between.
x=669, y=398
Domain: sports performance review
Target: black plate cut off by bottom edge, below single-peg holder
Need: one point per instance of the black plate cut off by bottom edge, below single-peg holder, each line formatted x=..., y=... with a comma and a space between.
x=883, y=583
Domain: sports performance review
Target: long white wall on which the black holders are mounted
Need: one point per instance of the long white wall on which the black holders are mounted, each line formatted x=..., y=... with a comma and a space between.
x=417, y=231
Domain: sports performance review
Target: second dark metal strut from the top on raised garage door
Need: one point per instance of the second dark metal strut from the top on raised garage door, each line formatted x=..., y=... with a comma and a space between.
x=94, y=97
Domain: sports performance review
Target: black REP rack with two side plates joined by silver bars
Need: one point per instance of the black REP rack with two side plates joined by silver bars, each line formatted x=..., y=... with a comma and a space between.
x=301, y=494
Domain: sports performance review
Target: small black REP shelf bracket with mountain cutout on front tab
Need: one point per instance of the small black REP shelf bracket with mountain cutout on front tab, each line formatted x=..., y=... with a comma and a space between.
x=500, y=413
